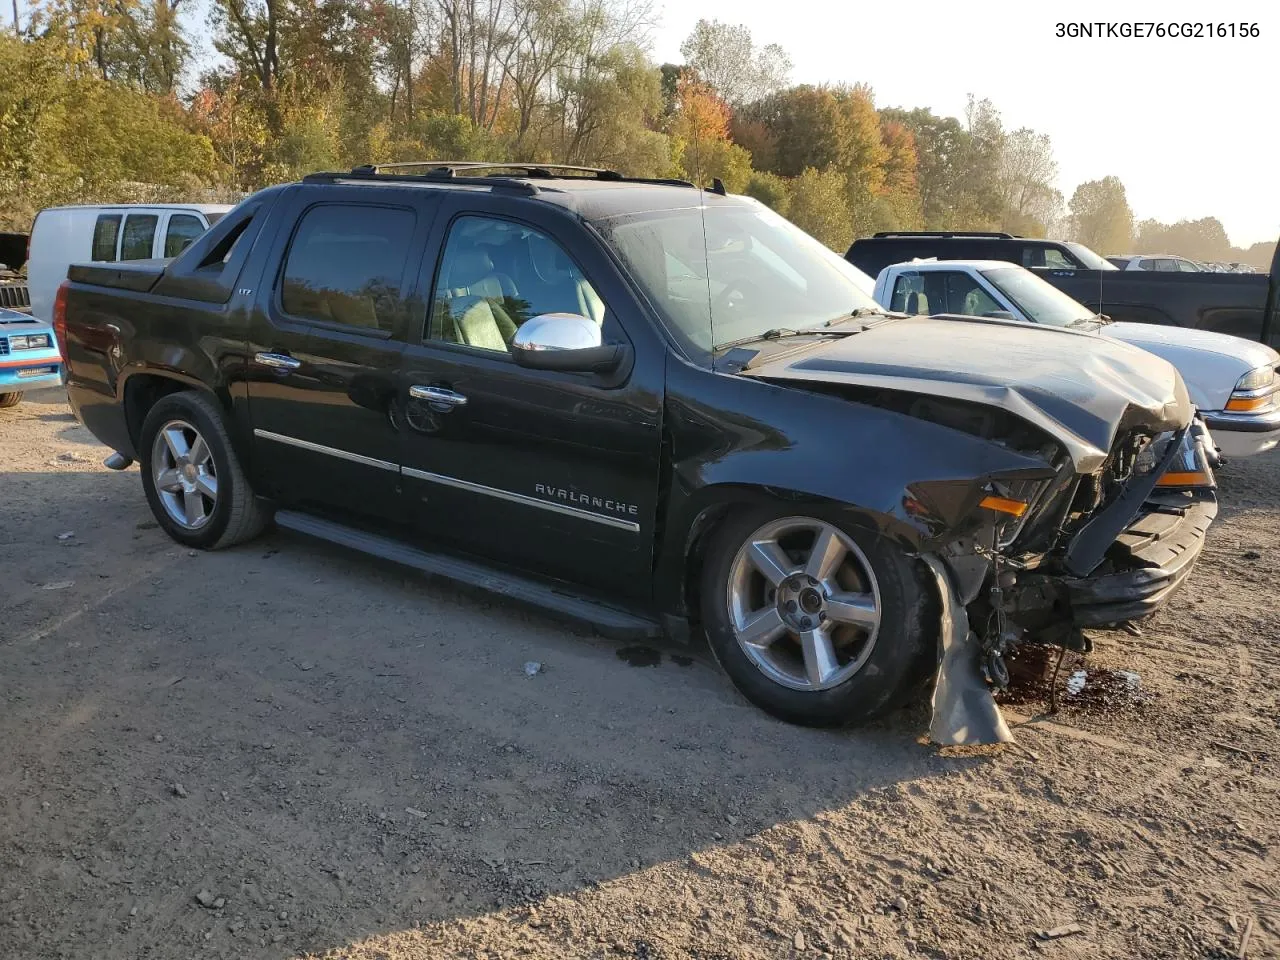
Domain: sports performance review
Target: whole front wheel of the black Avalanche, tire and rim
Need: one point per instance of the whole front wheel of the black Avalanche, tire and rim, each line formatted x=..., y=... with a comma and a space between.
x=816, y=623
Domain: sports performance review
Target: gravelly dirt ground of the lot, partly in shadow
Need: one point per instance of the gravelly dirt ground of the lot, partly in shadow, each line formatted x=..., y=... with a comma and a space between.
x=344, y=760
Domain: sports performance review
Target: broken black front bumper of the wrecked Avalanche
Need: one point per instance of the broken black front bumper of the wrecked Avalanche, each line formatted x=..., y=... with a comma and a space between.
x=1148, y=563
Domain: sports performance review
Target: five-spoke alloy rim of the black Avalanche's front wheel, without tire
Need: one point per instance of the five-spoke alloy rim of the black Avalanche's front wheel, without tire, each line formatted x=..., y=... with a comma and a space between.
x=804, y=604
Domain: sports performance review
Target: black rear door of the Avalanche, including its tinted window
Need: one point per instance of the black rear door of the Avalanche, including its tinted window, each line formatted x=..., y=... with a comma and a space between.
x=326, y=346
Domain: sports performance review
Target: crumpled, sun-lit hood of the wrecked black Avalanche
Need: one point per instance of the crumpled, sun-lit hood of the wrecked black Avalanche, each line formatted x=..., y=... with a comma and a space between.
x=1080, y=388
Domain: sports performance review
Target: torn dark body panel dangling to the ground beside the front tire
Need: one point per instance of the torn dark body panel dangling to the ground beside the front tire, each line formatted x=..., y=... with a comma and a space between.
x=964, y=711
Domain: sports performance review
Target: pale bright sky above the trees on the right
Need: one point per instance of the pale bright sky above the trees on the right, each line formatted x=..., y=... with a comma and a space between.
x=1188, y=126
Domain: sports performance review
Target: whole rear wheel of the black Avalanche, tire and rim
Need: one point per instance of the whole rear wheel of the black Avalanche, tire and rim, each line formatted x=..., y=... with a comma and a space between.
x=193, y=478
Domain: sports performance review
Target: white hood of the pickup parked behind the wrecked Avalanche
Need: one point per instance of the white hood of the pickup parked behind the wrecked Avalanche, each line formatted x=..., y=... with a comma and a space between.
x=1210, y=363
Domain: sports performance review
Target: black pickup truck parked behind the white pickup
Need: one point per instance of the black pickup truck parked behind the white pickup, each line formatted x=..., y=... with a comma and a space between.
x=1244, y=305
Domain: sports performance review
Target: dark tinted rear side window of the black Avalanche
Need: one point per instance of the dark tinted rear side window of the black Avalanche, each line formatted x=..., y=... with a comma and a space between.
x=346, y=266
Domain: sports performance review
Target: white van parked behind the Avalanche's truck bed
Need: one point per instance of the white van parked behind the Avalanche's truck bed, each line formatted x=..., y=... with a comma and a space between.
x=75, y=235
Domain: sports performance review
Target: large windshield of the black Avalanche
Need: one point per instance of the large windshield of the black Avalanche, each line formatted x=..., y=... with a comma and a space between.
x=749, y=272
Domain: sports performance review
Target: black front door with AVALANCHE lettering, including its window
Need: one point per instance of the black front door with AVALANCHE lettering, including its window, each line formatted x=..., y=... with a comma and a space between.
x=550, y=472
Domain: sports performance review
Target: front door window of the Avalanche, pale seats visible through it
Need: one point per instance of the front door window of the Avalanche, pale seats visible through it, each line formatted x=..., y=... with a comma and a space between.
x=495, y=276
